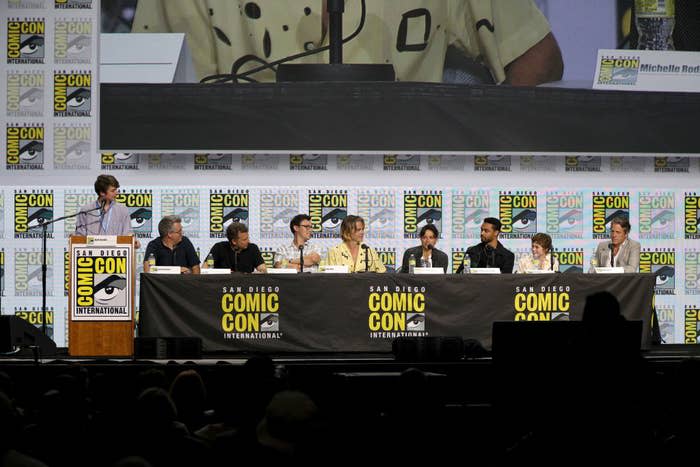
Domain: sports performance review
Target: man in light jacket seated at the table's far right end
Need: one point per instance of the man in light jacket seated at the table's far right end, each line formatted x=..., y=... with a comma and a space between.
x=620, y=251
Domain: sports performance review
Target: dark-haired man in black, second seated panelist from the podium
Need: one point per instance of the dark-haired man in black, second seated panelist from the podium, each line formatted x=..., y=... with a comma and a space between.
x=237, y=253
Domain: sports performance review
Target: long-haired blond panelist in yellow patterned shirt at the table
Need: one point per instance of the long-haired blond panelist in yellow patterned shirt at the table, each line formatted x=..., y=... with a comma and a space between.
x=353, y=253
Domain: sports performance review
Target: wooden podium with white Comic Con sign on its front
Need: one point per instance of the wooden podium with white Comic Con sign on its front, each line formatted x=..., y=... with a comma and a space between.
x=101, y=296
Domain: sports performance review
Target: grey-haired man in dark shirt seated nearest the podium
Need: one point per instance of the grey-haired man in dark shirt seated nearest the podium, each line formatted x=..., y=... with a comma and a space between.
x=172, y=248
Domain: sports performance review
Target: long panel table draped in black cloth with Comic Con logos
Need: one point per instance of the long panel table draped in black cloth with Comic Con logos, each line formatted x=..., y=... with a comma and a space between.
x=365, y=312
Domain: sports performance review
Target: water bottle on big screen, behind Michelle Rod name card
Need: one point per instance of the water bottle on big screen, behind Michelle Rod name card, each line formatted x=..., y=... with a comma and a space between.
x=655, y=20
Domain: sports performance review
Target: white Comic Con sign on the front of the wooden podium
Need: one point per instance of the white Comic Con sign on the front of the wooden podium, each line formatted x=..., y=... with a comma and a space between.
x=101, y=284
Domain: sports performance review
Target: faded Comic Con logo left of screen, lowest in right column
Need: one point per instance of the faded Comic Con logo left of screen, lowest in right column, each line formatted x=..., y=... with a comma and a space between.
x=71, y=146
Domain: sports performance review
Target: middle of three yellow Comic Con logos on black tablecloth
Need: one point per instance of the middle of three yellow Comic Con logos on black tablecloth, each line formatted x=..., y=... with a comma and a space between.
x=396, y=311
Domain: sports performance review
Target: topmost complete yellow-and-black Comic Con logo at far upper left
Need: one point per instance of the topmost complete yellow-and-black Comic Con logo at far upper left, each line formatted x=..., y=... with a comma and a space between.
x=25, y=41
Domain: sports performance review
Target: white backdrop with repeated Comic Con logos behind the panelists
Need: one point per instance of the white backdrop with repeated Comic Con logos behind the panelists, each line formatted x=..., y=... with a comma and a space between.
x=50, y=161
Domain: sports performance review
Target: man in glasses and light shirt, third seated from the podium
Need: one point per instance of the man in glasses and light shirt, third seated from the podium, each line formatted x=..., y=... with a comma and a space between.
x=300, y=247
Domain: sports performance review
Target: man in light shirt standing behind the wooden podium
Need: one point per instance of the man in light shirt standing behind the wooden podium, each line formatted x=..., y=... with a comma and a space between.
x=105, y=215
